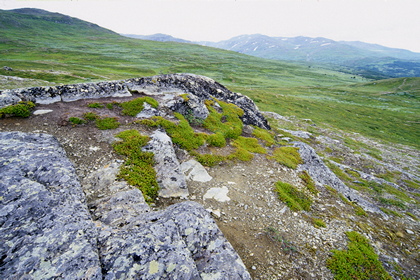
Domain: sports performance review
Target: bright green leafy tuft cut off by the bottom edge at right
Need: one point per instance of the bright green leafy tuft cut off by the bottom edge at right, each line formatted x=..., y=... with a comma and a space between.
x=359, y=261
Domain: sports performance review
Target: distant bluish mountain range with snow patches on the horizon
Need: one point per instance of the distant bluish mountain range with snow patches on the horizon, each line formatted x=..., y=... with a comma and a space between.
x=369, y=60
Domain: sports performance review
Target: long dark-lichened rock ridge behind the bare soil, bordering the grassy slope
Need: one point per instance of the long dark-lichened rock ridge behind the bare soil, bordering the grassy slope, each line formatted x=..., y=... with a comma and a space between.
x=198, y=88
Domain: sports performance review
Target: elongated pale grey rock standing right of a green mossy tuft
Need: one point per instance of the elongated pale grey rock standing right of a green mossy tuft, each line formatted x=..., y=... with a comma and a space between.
x=170, y=178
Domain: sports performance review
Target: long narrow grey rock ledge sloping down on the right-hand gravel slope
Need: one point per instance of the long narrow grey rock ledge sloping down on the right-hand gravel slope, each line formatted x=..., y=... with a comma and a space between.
x=316, y=168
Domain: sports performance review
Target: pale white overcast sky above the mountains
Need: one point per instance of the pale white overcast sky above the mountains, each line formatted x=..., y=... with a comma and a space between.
x=392, y=23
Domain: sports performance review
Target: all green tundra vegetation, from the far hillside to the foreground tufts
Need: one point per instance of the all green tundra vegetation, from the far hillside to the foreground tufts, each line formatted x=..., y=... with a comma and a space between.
x=361, y=118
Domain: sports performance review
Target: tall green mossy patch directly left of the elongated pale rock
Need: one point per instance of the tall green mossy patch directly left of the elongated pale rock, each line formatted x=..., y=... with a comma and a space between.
x=138, y=167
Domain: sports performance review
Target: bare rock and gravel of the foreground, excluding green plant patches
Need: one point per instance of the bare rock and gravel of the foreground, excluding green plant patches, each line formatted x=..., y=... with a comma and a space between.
x=65, y=214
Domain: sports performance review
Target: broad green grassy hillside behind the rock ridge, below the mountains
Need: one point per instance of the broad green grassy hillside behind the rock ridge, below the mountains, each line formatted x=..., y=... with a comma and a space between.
x=60, y=49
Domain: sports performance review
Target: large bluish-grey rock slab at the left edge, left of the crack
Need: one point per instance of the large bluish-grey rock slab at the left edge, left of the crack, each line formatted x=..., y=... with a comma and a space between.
x=46, y=230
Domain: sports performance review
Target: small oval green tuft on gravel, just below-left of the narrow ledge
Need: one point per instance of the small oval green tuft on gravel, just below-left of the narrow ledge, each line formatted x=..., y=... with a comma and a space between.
x=294, y=198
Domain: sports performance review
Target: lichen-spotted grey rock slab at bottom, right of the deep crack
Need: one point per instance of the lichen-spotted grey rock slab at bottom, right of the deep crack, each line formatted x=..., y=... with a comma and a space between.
x=180, y=242
